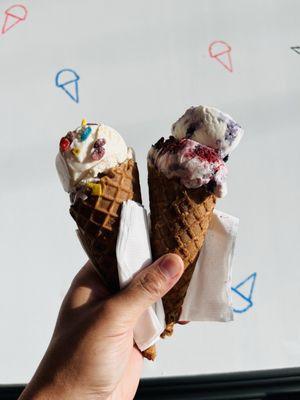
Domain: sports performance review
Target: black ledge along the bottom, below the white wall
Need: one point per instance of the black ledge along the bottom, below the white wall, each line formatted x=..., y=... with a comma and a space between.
x=280, y=384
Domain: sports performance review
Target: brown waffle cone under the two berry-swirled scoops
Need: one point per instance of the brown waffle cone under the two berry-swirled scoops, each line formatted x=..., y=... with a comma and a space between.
x=179, y=221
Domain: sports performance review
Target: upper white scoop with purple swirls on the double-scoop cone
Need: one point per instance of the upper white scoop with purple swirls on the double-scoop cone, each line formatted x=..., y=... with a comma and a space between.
x=210, y=127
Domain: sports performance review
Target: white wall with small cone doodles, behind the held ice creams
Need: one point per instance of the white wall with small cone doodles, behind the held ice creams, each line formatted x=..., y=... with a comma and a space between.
x=141, y=64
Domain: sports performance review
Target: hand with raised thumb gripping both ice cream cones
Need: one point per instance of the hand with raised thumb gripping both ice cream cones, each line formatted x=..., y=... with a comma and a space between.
x=92, y=354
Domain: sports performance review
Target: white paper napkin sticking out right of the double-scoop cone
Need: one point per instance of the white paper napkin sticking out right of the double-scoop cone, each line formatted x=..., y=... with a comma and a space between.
x=208, y=297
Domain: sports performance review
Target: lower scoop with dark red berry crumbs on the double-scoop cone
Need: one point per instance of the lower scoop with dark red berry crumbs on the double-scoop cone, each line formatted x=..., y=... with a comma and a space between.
x=194, y=164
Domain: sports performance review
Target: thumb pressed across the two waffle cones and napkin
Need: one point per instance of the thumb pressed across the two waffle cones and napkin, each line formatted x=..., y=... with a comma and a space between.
x=148, y=286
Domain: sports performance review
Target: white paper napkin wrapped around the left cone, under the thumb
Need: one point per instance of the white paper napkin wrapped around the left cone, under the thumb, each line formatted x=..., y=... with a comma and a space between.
x=134, y=253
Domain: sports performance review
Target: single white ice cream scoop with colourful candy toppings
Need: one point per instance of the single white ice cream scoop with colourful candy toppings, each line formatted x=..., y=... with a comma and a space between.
x=88, y=151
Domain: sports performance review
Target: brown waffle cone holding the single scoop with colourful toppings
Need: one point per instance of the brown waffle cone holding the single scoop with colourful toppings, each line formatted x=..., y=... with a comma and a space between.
x=98, y=218
